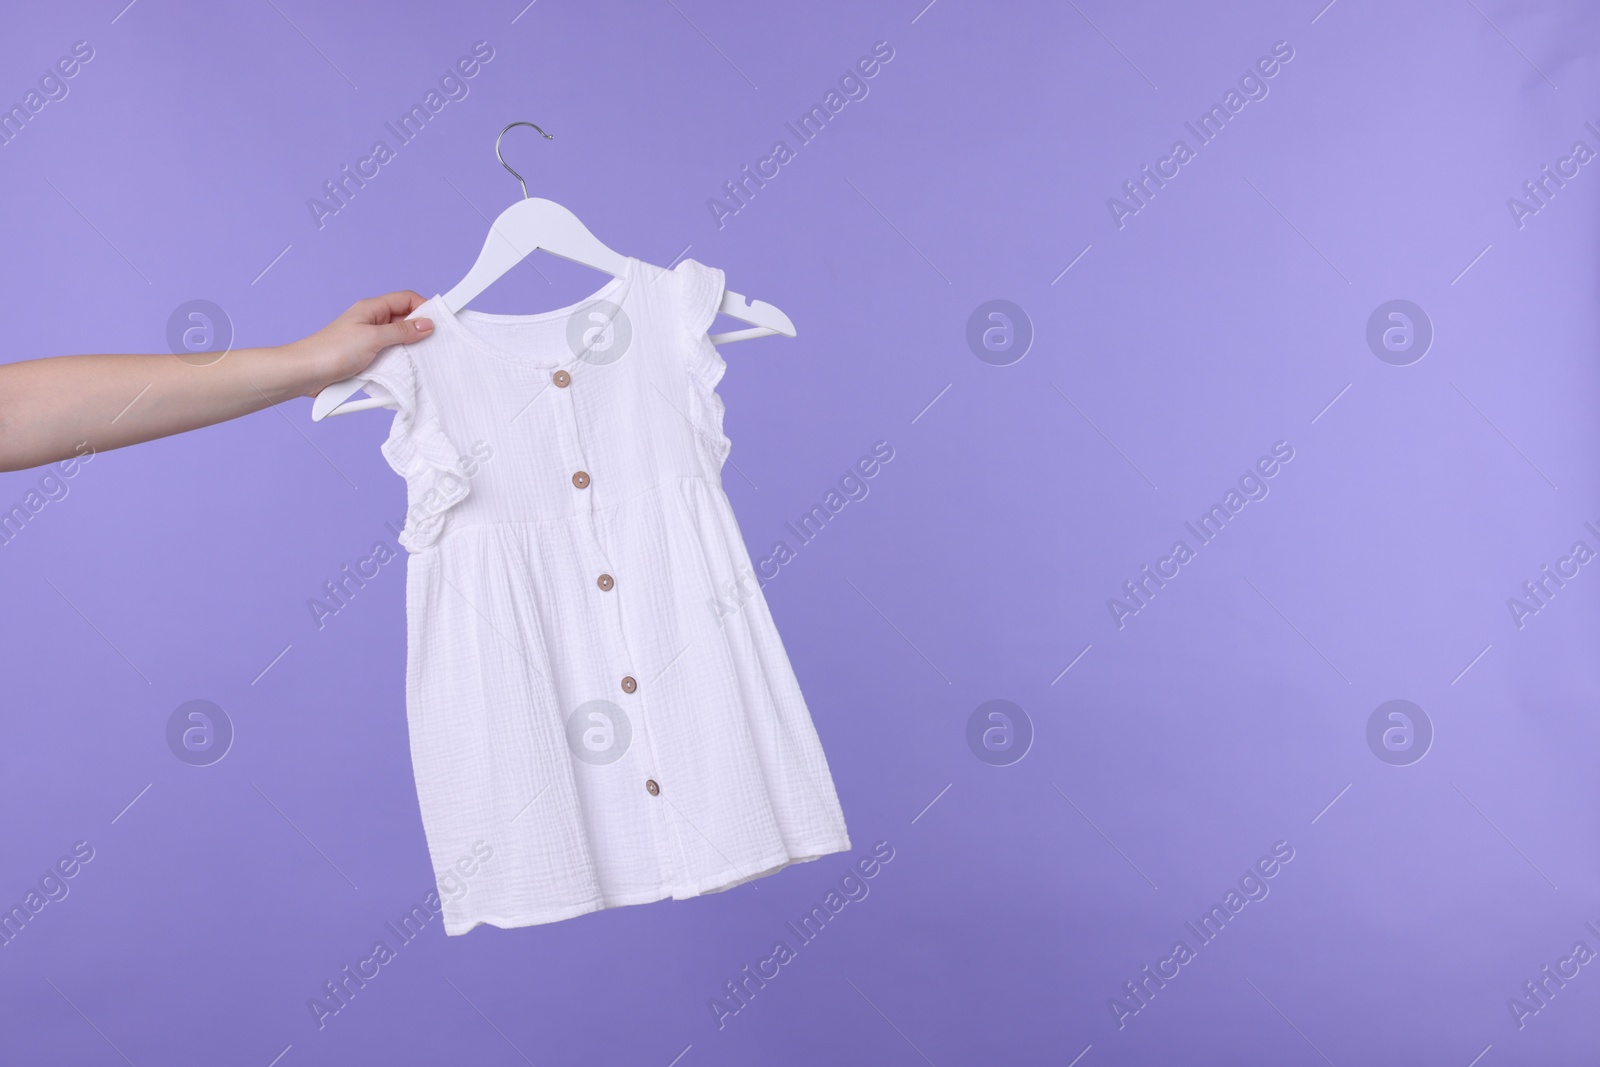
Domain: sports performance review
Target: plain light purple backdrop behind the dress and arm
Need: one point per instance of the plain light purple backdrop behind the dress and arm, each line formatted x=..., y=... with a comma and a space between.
x=1225, y=717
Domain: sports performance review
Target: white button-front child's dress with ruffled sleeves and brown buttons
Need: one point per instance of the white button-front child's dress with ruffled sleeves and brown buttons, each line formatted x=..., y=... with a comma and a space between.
x=601, y=709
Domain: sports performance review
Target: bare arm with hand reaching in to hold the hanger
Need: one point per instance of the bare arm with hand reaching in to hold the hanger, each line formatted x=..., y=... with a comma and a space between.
x=52, y=407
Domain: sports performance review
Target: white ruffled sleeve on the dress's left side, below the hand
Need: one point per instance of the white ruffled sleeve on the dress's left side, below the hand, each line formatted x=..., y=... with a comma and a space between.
x=418, y=449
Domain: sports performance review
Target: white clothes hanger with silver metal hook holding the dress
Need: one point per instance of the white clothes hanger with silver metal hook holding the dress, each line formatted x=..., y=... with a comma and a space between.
x=526, y=226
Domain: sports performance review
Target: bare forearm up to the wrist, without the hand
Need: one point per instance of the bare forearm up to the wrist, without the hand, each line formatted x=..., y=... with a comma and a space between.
x=52, y=407
